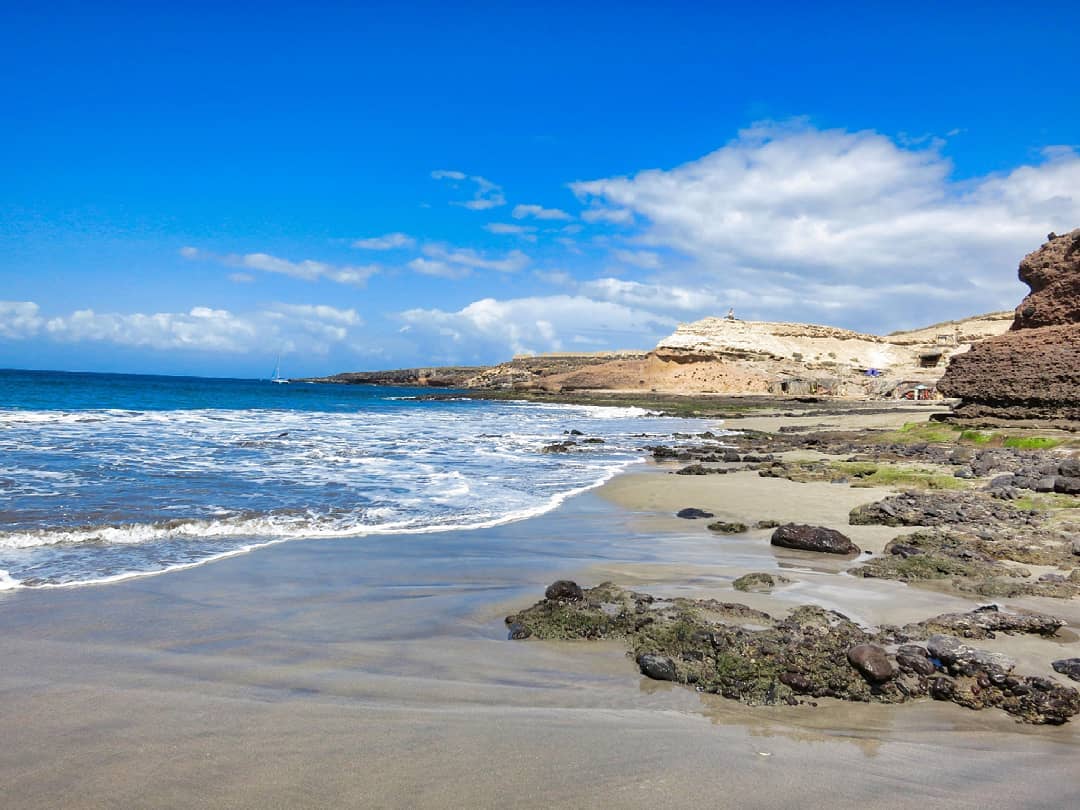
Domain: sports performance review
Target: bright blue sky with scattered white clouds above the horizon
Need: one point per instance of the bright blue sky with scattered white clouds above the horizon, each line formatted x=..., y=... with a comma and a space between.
x=363, y=186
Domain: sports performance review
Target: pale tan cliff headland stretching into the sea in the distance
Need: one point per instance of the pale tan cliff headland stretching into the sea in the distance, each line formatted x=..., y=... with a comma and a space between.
x=731, y=357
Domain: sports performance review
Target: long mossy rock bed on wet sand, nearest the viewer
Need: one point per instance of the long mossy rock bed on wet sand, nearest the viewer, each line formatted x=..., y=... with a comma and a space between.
x=746, y=655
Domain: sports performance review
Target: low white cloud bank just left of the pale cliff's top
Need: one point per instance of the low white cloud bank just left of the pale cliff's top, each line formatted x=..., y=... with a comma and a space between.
x=492, y=329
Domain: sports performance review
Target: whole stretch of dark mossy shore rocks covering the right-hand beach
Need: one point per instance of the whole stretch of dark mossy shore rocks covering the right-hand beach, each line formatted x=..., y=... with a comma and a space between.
x=991, y=518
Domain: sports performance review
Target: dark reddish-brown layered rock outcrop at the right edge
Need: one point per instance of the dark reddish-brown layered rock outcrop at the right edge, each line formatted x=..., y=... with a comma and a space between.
x=1033, y=371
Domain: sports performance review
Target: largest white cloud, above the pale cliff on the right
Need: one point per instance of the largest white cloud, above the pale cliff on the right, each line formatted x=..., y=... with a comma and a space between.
x=802, y=223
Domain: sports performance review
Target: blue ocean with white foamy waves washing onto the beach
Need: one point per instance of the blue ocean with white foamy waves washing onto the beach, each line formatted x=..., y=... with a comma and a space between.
x=109, y=477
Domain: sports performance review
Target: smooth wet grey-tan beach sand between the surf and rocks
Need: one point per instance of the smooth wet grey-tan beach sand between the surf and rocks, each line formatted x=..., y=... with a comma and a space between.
x=375, y=672
